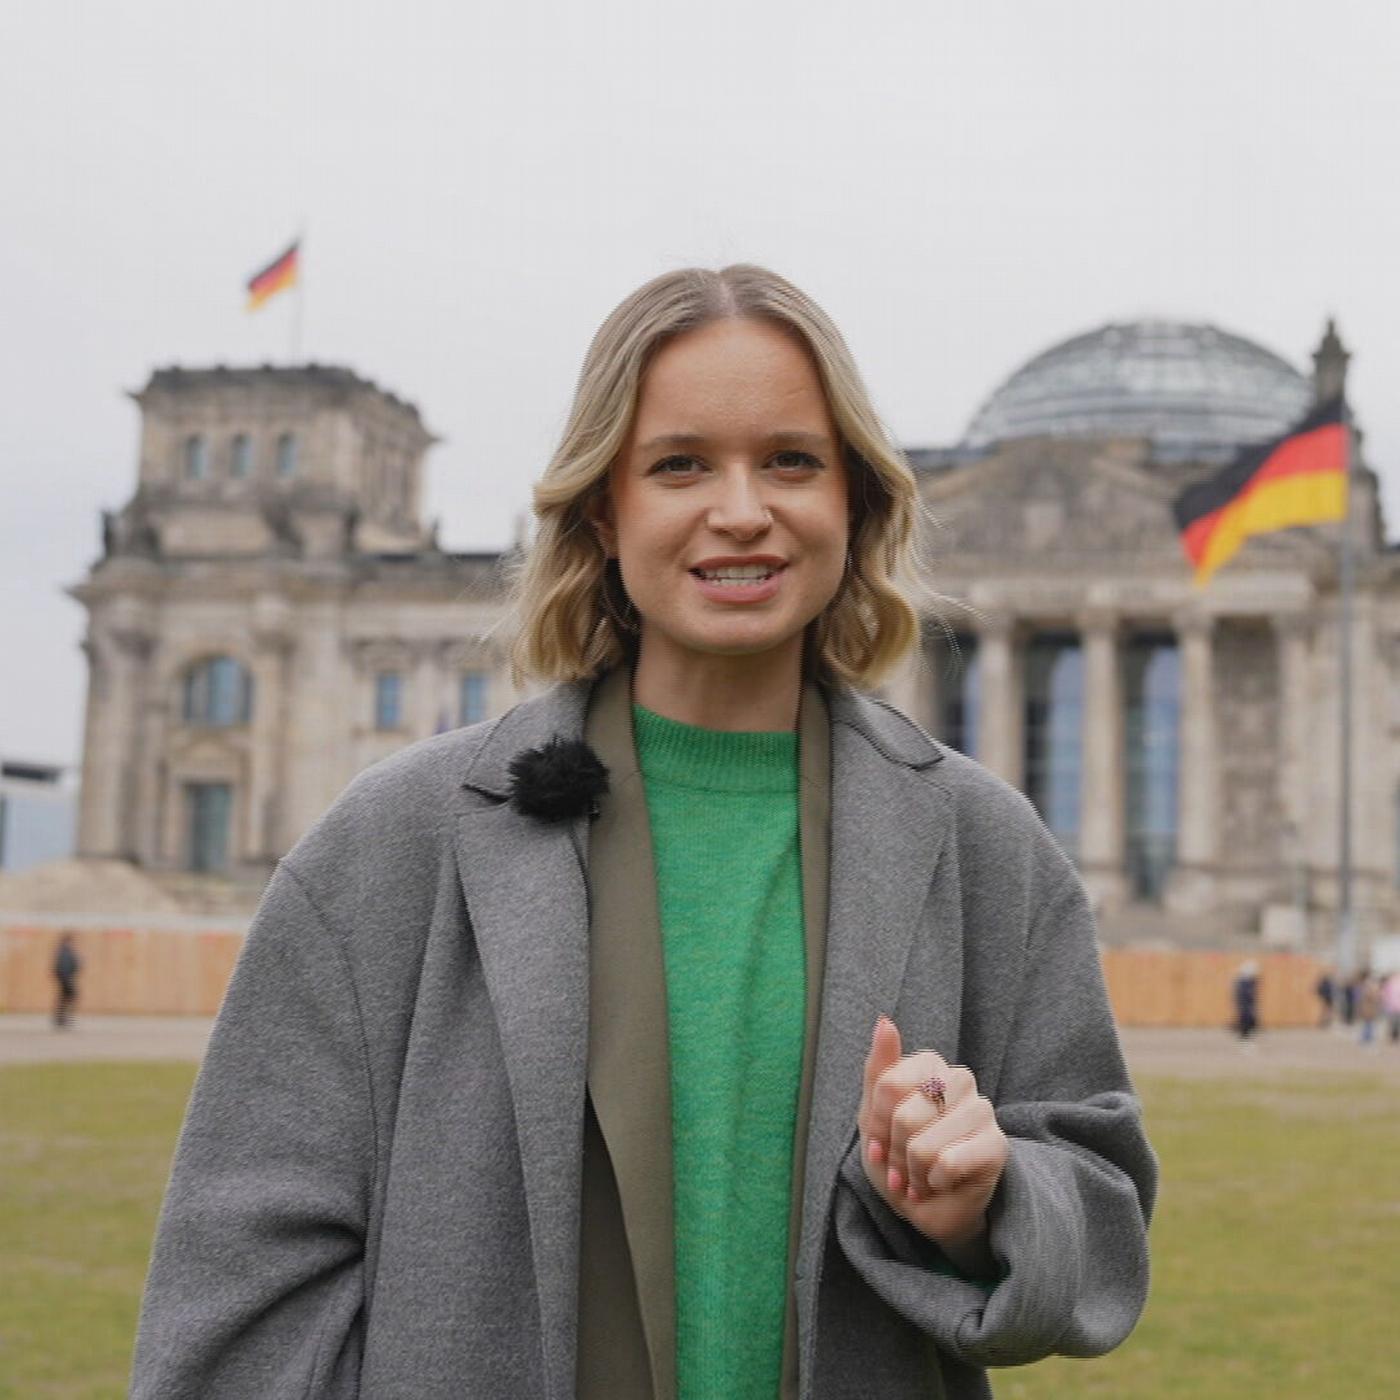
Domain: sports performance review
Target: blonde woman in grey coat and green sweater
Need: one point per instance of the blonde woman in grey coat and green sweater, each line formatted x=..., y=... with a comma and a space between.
x=568, y=1055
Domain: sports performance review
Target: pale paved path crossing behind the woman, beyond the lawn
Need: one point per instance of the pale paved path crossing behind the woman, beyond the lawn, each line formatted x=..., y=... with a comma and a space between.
x=26, y=1039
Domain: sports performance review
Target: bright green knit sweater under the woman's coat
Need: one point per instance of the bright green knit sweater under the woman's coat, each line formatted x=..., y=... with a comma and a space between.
x=724, y=829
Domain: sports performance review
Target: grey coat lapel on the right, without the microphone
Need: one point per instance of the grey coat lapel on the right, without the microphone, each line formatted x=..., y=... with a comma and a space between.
x=888, y=831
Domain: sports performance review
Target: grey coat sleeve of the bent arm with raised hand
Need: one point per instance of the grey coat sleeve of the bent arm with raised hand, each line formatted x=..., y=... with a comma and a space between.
x=1069, y=1220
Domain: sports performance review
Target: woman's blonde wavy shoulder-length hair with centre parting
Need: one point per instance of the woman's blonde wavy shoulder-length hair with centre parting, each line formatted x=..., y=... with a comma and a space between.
x=575, y=619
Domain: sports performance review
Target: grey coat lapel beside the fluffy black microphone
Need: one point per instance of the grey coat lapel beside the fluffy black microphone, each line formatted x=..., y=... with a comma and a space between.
x=526, y=890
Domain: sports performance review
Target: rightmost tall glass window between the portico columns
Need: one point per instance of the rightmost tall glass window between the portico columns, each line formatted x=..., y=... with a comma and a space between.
x=1151, y=733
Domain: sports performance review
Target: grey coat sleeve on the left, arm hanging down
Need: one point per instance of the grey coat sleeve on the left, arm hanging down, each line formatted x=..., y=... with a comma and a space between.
x=257, y=1277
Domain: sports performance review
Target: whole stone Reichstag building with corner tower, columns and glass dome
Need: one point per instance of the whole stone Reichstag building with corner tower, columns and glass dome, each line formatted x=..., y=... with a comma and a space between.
x=272, y=615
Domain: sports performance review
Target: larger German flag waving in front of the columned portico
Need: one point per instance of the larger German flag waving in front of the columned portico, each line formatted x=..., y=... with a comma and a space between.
x=1298, y=479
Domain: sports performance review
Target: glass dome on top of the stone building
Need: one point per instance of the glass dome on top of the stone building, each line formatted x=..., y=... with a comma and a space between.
x=1195, y=391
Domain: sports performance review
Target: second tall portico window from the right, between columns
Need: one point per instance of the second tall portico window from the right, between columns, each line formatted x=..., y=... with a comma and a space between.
x=1055, y=734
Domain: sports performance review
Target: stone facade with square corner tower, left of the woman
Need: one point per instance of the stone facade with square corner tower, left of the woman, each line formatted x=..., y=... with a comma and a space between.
x=303, y=568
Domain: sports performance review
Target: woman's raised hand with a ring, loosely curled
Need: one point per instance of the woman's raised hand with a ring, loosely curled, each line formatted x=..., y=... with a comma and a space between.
x=936, y=1165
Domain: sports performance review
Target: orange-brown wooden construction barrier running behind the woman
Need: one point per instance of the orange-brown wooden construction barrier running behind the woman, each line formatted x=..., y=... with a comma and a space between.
x=183, y=971
